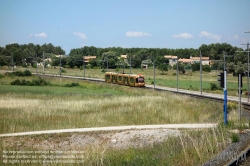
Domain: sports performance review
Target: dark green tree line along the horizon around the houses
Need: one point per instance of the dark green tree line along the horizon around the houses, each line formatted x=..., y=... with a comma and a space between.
x=29, y=53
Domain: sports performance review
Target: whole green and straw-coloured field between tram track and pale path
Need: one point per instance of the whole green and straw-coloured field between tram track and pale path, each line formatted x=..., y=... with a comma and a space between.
x=55, y=106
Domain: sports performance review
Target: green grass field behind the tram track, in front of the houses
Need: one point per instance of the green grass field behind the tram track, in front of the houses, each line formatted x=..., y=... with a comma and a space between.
x=190, y=80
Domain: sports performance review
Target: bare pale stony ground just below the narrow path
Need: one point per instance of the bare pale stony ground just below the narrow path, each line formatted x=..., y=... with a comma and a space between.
x=82, y=141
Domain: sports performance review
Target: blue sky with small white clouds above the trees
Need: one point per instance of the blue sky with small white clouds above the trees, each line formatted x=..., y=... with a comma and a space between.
x=124, y=23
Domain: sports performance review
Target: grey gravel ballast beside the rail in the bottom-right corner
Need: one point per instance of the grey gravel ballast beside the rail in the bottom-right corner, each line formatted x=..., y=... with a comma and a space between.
x=231, y=152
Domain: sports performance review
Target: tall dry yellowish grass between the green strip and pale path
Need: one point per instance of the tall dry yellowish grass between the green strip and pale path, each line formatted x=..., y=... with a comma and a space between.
x=21, y=113
